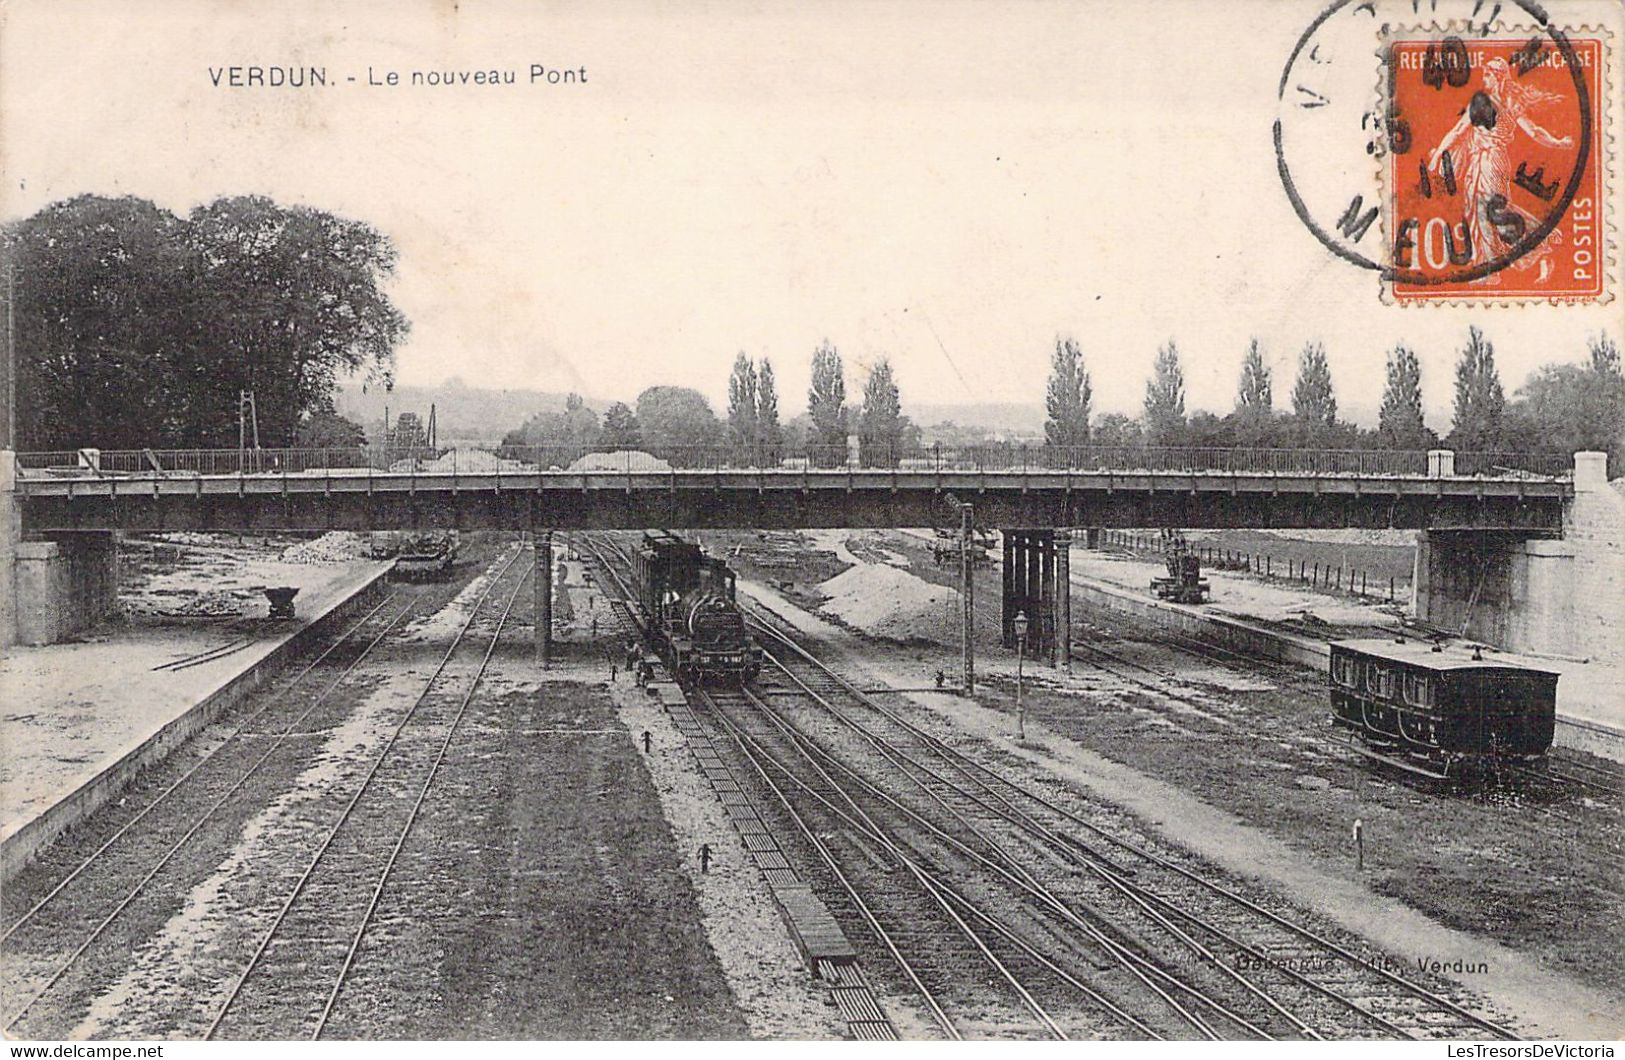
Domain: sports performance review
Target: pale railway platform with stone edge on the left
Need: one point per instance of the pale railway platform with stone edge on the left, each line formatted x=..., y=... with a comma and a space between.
x=84, y=719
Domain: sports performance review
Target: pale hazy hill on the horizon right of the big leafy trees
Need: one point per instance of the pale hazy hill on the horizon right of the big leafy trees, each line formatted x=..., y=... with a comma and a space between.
x=462, y=414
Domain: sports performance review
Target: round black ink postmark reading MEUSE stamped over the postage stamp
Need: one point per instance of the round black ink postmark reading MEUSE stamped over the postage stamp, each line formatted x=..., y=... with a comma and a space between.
x=1468, y=139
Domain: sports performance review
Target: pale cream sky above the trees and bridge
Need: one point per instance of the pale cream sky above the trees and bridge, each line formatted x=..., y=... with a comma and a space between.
x=947, y=185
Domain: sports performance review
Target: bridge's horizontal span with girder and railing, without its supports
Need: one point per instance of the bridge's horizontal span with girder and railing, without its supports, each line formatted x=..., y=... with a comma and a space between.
x=716, y=489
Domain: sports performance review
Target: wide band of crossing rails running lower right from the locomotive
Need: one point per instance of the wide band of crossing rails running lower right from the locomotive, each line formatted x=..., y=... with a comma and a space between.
x=882, y=804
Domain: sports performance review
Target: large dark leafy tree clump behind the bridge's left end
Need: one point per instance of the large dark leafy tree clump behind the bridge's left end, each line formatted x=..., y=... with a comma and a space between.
x=142, y=328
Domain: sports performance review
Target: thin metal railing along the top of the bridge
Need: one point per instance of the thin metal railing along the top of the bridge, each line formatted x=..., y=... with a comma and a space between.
x=992, y=458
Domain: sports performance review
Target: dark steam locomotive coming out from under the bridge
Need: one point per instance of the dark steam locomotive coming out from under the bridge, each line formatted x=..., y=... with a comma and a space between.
x=688, y=601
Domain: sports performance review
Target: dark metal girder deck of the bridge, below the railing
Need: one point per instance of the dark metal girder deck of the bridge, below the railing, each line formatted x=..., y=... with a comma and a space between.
x=363, y=497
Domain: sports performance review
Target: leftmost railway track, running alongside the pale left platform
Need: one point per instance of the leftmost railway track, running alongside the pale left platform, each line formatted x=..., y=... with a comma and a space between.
x=85, y=913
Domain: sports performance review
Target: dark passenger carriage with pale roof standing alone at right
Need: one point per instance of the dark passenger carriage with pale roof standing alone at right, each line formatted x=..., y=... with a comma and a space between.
x=1442, y=710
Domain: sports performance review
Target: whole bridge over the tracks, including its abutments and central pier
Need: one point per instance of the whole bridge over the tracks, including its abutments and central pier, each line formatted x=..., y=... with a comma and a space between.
x=63, y=510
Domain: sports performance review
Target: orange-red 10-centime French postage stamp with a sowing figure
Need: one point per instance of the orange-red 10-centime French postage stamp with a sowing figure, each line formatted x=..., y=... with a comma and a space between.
x=1496, y=165
